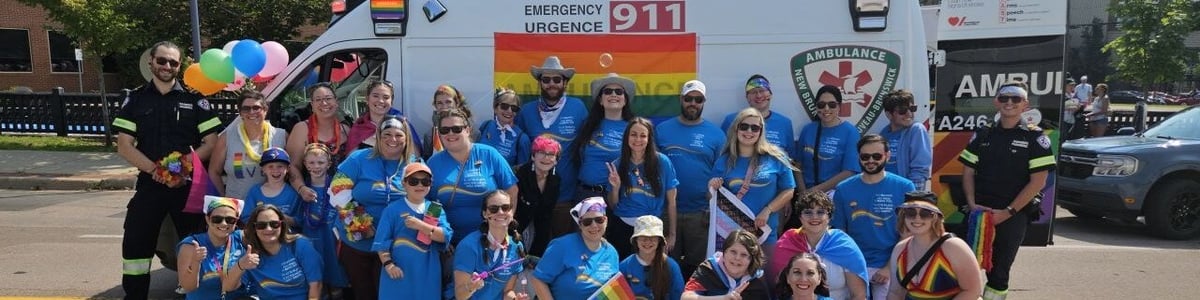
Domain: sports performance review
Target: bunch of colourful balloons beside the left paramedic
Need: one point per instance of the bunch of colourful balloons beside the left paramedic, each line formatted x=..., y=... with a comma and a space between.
x=230, y=68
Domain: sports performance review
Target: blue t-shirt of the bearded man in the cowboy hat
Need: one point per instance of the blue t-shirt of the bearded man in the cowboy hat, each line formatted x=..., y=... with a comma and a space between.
x=565, y=129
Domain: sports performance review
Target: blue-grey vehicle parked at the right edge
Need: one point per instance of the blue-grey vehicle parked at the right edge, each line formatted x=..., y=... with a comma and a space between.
x=1155, y=175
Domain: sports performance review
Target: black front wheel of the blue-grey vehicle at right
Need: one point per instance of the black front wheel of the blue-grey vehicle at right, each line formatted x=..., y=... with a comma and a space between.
x=1173, y=212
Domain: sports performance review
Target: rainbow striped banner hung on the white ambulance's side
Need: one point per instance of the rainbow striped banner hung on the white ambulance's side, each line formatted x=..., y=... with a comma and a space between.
x=658, y=64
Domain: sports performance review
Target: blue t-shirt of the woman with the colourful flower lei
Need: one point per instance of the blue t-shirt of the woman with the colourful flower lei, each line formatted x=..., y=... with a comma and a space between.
x=377, y=182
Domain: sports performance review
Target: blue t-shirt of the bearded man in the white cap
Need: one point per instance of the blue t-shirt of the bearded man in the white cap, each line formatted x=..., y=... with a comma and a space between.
x=693, y=151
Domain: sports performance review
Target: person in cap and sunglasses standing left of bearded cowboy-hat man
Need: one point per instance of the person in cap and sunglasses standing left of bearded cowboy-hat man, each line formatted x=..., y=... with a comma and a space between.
x=502, y=133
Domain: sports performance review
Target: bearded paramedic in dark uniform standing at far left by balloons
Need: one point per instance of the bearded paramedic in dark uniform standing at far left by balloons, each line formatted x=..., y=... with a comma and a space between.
x=157, y=119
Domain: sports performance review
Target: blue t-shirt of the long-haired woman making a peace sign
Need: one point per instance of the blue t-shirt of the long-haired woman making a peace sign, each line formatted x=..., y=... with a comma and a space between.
x=643, y=201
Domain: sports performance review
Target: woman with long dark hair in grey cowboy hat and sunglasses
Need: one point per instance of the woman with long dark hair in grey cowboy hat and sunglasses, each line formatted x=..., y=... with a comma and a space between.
x=601, y=136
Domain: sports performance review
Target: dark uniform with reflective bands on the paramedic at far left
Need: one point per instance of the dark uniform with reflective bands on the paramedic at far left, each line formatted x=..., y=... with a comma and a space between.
x=160, y=124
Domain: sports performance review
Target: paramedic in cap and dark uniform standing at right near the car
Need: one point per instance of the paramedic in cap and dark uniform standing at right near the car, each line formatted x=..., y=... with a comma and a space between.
x=1005, y=167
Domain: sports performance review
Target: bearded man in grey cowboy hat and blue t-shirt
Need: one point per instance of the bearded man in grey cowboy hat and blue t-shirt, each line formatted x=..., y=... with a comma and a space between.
x=559, y=117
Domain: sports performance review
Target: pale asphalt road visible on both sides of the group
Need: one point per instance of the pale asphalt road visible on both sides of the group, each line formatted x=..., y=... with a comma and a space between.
x=67, y=245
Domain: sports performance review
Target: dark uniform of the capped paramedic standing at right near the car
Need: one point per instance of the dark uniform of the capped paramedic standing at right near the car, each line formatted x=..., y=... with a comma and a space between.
x=1004, y=160
